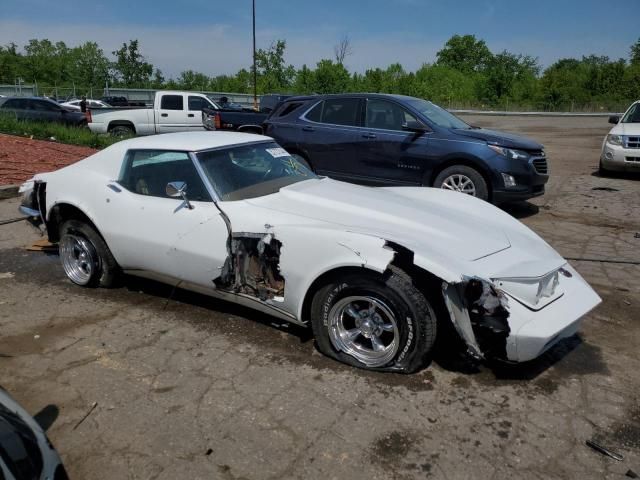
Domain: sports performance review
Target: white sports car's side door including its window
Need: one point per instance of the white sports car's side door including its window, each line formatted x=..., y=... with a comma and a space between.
x=150, y=231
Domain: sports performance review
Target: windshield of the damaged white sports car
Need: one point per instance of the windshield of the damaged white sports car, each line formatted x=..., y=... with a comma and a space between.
x=253, y=170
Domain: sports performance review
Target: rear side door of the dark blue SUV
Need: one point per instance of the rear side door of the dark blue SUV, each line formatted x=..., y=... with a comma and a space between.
x=328, y=133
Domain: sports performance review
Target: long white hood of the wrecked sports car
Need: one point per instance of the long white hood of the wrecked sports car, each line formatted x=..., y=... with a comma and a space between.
x=426, y=220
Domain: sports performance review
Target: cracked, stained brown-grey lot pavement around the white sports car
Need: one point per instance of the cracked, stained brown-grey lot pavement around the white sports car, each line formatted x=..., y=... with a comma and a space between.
x=189, y=387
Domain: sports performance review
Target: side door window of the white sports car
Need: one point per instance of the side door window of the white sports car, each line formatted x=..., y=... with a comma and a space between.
x=147, y=172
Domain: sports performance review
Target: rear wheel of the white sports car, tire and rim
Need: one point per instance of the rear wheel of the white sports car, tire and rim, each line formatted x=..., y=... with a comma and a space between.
x=85, y=257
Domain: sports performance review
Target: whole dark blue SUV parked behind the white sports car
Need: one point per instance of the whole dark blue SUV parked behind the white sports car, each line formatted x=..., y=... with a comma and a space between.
x=395, y=140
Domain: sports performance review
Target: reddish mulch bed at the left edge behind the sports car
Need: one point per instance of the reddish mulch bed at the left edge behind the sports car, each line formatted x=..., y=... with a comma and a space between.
x=21, y=158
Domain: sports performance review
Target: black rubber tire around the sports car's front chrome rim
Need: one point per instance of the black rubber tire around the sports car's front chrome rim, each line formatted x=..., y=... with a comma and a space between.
x=407, y=318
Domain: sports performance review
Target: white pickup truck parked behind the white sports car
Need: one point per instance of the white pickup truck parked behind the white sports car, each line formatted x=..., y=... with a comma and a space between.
x=171, y=112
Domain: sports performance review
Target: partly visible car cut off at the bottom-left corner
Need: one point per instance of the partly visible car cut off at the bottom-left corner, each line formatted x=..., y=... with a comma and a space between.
x=25, y=450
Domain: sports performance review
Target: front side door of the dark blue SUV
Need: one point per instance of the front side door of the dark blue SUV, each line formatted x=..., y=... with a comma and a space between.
x=389, y=154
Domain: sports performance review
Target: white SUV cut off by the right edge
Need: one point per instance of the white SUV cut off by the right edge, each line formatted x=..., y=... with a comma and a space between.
x=621, y=147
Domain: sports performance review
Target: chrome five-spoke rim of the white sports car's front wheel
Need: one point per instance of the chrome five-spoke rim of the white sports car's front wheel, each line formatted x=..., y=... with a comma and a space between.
x=365, y=328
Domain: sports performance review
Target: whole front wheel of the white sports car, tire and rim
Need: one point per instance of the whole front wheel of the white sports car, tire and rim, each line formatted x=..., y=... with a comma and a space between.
x=374, y=322
